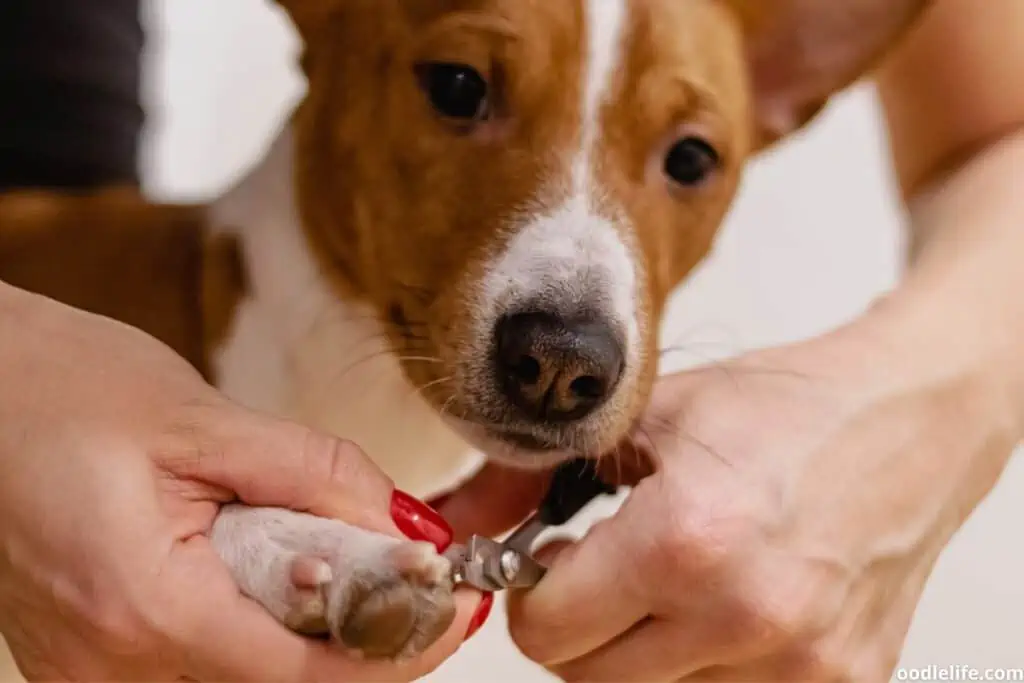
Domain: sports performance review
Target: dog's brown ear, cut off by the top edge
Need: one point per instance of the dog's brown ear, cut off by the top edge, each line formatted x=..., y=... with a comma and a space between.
x=803, y=52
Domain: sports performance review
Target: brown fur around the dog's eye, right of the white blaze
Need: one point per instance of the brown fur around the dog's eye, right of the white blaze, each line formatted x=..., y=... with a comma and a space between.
x=674, y=86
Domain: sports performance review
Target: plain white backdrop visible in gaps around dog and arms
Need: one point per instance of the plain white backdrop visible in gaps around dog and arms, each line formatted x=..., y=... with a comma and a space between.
x=816, y=236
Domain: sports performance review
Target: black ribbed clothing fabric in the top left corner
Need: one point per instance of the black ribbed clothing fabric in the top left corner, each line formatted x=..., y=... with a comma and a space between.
x=70, y=103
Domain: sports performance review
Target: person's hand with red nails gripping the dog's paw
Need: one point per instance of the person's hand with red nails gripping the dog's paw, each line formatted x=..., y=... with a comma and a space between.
x=115, y=458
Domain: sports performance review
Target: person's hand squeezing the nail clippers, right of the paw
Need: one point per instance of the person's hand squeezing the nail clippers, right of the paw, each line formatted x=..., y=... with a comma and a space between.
x=800, y=501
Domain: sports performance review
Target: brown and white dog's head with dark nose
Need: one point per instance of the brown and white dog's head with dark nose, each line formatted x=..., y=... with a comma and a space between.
x=516, y=187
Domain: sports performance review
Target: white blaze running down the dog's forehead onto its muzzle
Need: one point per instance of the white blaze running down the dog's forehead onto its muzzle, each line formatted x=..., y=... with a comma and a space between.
x=581, y=252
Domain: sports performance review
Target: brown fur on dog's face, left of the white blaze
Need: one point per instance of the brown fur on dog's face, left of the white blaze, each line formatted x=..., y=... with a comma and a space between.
x=455, y=189
